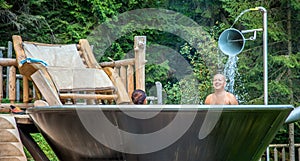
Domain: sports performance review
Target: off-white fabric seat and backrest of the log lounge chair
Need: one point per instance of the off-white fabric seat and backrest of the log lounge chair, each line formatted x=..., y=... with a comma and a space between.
x=66, y=68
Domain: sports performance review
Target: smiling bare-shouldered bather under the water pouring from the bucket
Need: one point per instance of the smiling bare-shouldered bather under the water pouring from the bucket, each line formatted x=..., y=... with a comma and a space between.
x=220, y=96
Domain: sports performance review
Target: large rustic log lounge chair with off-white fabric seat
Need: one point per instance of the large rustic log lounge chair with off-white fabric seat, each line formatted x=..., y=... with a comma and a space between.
x=68, y=72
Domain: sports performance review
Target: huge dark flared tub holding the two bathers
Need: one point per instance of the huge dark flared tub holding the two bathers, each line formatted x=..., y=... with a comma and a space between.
x=229, y=133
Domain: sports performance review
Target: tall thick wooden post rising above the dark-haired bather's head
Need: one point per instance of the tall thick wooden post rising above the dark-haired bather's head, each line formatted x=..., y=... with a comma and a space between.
x=140, y=61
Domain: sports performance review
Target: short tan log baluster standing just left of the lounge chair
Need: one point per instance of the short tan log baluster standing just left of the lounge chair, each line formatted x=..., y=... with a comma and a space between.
x=12, y=84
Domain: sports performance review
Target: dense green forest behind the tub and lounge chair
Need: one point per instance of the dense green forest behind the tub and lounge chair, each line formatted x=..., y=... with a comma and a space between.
x=67, y=21
